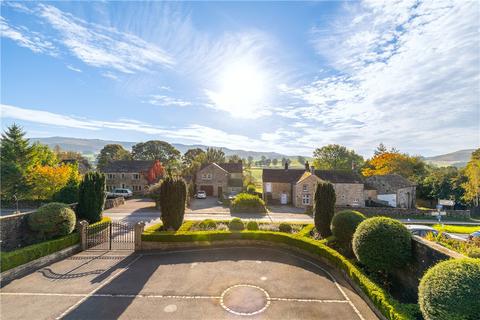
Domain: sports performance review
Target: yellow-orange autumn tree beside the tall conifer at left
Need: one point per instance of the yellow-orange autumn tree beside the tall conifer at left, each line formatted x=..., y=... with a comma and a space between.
x=48, y=180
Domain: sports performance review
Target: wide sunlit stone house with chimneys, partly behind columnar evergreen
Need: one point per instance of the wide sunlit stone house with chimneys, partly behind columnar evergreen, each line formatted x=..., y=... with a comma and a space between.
x=297, y=186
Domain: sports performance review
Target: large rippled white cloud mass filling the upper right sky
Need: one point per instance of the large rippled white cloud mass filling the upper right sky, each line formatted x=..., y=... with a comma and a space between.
x=408, y=75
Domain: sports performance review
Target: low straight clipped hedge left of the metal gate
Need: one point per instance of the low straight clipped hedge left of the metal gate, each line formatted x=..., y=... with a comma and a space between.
x=21, y=256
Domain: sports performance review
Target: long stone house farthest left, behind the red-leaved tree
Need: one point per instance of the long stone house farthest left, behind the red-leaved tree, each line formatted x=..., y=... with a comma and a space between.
x=136, y=175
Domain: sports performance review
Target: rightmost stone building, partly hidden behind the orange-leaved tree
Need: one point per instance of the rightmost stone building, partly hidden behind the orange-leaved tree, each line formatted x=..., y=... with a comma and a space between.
x=394, y=190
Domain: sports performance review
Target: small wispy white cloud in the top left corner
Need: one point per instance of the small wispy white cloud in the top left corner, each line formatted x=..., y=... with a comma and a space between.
x=26, y=38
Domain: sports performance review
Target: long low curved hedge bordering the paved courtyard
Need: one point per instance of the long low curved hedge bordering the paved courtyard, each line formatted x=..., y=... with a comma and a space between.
x=388, y=306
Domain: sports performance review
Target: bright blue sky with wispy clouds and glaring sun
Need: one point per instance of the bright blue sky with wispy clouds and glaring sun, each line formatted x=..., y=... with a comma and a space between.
x=266, y=76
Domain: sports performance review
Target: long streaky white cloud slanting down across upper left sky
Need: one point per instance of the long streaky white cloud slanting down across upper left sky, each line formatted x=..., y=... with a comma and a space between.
x=104, y=47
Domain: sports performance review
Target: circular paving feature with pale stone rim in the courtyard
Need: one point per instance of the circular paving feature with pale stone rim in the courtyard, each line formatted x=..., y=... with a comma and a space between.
x=245, y=300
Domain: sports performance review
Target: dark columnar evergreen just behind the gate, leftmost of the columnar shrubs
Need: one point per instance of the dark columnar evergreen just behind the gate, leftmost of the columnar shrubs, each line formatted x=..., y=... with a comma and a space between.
x=91, y=197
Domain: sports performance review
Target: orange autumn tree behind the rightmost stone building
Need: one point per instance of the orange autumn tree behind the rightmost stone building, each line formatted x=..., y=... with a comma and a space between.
x=395, y=162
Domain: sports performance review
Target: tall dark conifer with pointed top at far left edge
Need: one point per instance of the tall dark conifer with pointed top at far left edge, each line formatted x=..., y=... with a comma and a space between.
x=16, y=159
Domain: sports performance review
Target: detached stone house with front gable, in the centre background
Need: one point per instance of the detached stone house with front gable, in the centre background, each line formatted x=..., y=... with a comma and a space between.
x=217, y=179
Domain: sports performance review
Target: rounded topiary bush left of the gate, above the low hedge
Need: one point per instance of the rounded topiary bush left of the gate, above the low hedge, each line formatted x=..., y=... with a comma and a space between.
x=52, y=220
